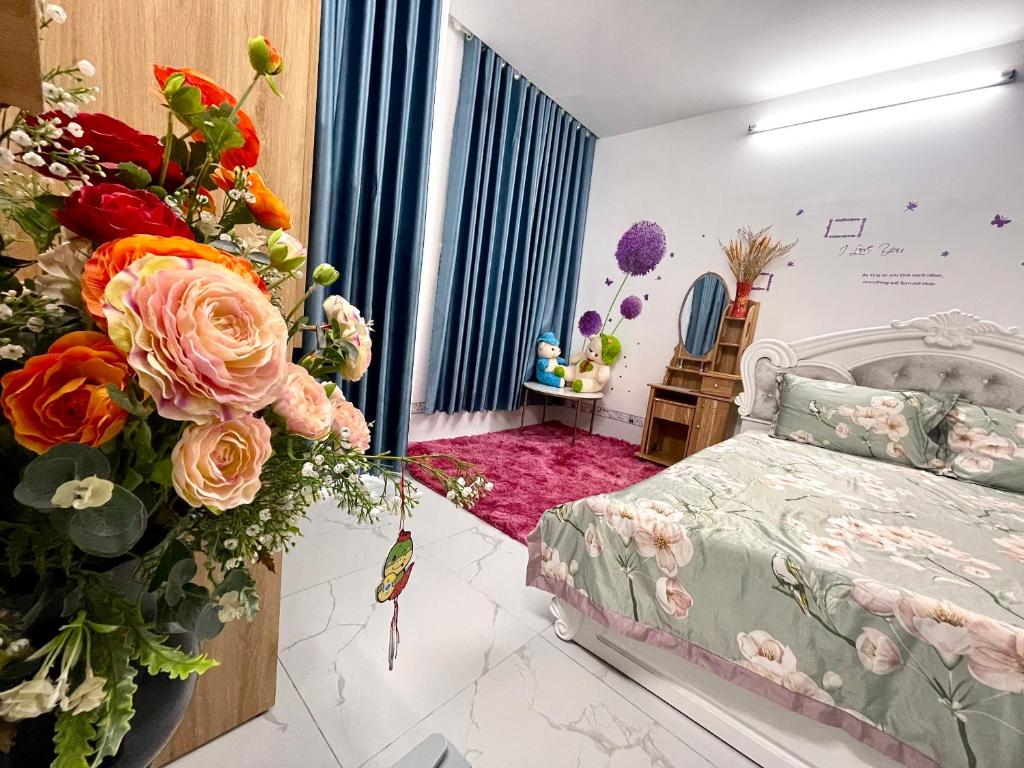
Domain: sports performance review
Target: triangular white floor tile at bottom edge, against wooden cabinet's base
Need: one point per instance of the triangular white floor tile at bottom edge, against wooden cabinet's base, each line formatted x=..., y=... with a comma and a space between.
x=286, y=736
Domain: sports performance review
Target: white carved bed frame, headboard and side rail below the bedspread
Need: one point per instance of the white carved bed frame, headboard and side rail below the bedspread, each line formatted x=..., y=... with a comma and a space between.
x=946, y=352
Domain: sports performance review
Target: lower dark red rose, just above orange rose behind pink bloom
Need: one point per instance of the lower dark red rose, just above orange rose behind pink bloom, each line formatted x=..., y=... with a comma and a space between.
x=105, y=212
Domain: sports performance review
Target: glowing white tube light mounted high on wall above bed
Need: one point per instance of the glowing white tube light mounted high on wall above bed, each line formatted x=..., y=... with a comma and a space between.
x=923, y=93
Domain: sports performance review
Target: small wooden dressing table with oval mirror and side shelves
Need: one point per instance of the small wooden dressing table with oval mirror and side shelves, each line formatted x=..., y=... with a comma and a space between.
x=693, y=407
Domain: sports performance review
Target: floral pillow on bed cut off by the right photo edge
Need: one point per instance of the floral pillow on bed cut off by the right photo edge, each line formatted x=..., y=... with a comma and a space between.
x=987, y=446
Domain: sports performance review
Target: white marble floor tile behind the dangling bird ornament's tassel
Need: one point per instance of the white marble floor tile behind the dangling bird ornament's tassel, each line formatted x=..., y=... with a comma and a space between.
x=335, y=641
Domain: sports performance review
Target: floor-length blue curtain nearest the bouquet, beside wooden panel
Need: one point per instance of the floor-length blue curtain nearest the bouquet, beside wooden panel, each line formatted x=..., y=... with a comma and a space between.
x=374, y=112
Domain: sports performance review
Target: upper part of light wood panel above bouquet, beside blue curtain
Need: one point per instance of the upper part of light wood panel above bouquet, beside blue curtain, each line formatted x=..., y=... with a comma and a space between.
x=124, y=39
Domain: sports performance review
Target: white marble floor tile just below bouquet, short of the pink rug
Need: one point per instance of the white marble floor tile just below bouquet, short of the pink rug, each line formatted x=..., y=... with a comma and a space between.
x=334, y=543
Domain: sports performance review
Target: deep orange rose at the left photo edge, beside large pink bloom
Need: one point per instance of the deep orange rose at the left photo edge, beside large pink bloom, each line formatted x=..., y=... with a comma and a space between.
x=62, y=397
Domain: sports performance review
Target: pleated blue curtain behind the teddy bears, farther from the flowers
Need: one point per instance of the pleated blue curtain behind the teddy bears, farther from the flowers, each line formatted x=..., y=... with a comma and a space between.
x=514, y=236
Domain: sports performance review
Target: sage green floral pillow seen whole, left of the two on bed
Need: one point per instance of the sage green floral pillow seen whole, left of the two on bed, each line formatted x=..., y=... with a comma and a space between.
x=892, y=426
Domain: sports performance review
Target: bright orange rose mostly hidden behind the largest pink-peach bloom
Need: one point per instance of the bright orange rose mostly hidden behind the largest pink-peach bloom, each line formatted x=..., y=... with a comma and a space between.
x=112, y=258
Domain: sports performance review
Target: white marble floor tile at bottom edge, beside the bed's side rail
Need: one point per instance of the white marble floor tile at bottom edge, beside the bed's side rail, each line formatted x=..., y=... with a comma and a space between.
x=535, y=710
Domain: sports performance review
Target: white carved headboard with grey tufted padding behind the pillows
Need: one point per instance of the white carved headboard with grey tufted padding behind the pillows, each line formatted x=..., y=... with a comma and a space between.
x=950, y=352
